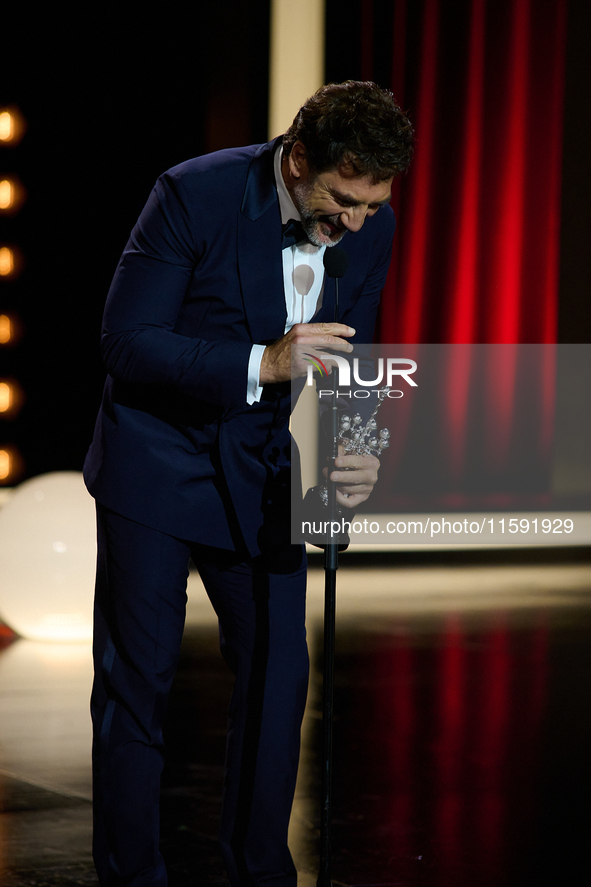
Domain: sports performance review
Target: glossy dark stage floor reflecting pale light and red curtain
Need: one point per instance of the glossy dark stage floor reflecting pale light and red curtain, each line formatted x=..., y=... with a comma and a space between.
x=462, y=745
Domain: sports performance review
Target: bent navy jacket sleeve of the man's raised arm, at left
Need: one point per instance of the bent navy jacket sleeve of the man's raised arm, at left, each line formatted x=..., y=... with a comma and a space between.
x=139, y=341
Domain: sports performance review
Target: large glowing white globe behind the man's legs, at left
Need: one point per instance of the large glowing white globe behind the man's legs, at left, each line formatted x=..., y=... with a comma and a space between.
x=48, y=558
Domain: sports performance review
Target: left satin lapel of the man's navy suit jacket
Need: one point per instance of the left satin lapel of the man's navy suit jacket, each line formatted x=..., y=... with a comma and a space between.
x=259, y=250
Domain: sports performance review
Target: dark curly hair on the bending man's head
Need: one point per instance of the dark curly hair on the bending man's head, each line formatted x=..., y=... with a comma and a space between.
x=356, y=124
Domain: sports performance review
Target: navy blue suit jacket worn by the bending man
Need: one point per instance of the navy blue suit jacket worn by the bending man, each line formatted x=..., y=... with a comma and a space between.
x=176, y=447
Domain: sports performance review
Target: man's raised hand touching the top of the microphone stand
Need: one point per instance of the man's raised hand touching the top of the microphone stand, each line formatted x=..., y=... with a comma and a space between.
x=277, y=364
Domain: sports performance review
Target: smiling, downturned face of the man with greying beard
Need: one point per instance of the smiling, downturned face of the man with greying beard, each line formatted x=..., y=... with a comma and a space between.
x=335, y=201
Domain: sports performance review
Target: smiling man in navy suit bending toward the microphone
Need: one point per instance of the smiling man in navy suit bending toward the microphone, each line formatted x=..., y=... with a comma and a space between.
x=191, y=456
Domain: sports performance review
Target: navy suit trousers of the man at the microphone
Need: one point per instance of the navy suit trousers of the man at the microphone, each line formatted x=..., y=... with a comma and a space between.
x=139, y=619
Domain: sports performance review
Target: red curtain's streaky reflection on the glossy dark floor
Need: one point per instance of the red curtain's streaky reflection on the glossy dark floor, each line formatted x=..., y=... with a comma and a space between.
x=454, y=730
